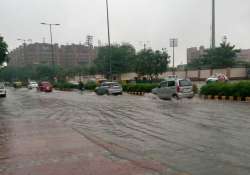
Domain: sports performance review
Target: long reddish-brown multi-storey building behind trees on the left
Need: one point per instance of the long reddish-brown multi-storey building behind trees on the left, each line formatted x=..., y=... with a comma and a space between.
x=40, y=53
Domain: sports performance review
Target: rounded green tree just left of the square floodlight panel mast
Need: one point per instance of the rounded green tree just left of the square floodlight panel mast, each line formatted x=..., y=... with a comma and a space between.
x=151, y=63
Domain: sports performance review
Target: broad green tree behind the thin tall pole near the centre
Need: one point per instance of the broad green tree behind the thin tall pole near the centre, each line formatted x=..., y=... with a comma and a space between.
x=121, y=56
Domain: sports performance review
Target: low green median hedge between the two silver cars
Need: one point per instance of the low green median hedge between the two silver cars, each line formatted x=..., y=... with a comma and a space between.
x=139, y=87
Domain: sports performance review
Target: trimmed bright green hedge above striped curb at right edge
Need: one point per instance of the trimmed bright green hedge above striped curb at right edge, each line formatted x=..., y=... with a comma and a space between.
x=240, y=89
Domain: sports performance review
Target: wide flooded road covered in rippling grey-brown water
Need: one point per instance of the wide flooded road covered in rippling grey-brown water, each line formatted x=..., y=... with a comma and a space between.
x=121, y=135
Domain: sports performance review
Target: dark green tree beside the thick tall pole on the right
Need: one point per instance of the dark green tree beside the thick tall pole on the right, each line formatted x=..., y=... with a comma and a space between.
x=220, y=57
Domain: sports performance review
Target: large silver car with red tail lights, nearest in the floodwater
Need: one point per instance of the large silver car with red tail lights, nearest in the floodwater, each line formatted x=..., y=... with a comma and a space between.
x=174, y=88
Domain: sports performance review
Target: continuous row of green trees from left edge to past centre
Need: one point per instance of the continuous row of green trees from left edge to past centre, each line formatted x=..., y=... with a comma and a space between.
x=119, y=58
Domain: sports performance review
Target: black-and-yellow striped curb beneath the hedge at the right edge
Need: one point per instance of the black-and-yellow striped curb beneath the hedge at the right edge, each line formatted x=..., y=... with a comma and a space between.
x=225, y=98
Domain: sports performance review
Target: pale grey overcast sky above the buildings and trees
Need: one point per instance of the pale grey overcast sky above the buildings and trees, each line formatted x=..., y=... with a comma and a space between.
x=132, y=21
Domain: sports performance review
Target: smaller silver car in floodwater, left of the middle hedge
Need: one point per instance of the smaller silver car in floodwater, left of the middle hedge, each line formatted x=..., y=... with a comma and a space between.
x=110, y=88
